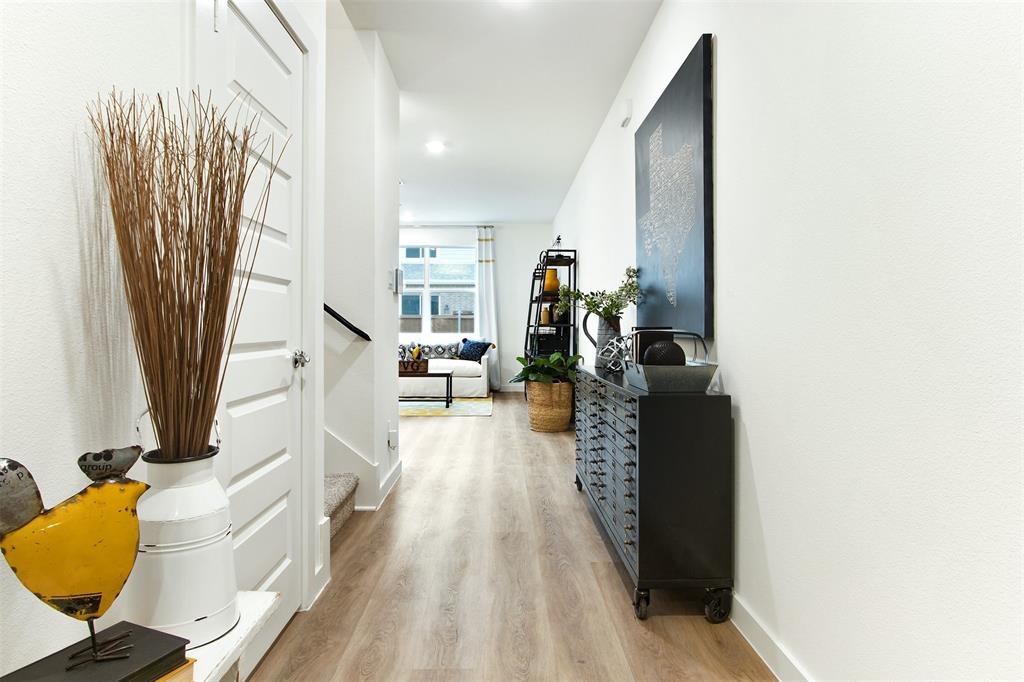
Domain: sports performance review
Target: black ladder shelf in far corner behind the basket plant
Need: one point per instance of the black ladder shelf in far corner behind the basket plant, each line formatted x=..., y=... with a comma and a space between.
x=542, y=340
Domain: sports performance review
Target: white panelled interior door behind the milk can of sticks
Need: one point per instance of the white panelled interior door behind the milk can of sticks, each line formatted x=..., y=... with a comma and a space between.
x=252, y=59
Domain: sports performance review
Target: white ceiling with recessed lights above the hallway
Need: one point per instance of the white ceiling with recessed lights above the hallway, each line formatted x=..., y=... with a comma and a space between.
x=517, y=89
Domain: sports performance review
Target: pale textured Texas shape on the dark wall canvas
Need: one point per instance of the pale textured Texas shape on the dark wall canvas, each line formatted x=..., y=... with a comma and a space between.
x=672, y=214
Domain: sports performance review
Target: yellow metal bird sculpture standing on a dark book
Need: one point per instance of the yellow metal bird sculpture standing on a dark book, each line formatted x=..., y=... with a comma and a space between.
x=76, y=557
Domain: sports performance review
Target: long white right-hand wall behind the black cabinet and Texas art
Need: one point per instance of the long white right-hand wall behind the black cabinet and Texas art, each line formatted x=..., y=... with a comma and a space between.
x=868, y=180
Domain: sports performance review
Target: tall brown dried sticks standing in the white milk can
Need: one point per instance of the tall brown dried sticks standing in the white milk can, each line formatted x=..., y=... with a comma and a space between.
x=178, y=174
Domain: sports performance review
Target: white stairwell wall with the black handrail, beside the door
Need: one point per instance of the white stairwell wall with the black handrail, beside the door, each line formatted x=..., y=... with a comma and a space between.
x=362, y=243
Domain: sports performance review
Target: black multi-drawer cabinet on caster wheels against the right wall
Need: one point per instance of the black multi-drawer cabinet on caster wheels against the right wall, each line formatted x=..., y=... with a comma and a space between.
x=658, y=470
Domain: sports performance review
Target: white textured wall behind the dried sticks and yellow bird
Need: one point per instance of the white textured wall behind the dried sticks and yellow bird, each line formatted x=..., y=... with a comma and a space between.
x=69, y=382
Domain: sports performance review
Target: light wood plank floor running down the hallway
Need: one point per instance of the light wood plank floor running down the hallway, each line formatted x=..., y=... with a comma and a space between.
x=485, y=565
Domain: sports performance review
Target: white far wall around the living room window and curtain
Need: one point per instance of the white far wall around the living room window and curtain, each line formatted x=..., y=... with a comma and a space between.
x=517, y=250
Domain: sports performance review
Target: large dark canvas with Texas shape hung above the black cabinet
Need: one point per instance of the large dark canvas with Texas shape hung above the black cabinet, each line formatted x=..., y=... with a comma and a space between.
x=674, y=201
